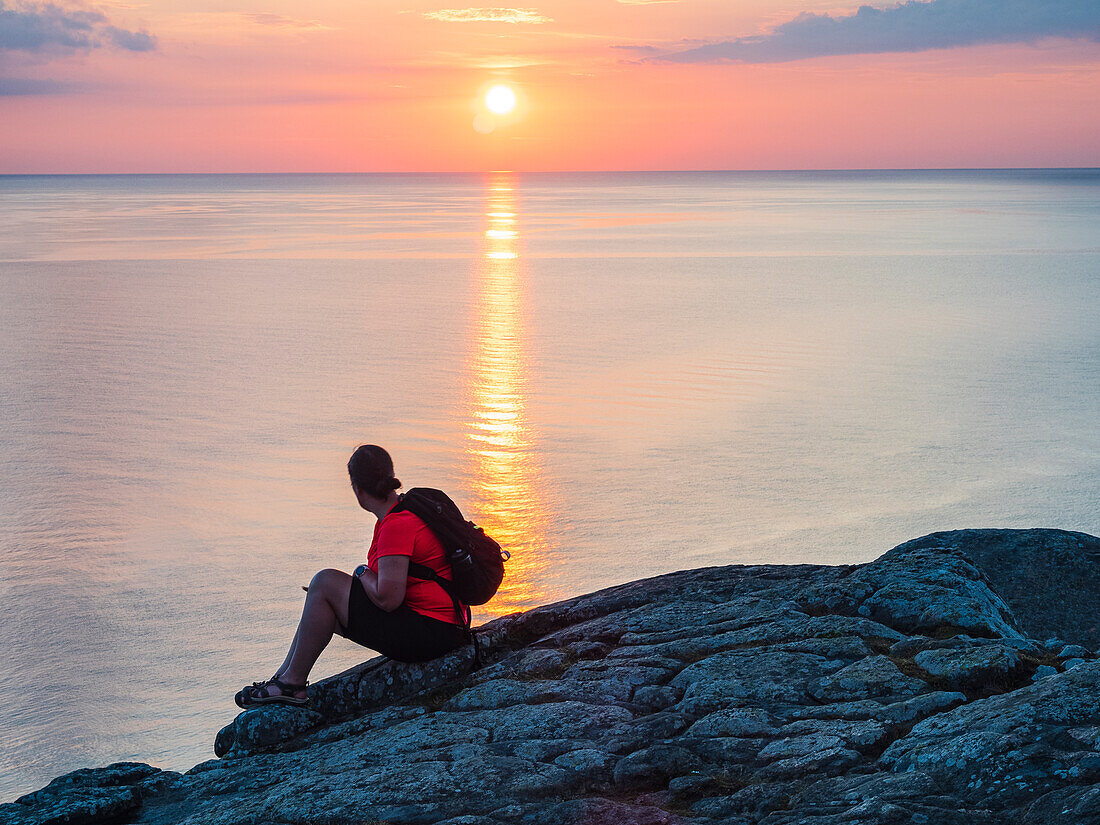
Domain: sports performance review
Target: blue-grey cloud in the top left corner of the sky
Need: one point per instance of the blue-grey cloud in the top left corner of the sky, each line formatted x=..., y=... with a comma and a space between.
x=48, y=28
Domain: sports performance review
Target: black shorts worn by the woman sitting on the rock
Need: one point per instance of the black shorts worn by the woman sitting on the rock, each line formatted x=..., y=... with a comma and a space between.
x=404, y=634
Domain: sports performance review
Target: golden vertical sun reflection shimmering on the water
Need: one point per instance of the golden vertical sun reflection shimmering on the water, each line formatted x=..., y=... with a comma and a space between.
x=500, y=460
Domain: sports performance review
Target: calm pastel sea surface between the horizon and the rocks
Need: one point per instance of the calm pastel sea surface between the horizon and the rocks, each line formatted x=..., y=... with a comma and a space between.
x=621, y=376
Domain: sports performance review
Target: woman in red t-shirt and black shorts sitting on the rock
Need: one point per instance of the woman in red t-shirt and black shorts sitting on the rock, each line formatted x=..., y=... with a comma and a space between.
x=379, y=608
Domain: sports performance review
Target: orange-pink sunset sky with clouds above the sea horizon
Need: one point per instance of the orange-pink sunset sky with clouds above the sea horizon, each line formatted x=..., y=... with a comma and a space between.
x=168, y=86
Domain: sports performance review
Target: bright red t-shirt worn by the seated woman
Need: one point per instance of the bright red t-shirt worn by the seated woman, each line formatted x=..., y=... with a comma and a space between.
x=403, y=534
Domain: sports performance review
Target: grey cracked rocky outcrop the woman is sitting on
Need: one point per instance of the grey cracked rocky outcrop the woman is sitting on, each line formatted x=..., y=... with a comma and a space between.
x=907, y=690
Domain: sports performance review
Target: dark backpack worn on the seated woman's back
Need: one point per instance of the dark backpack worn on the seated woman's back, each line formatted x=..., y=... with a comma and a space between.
x=477, y=560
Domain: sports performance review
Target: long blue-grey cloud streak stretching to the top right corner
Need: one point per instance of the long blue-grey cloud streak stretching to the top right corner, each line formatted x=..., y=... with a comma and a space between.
x=912, y=27
